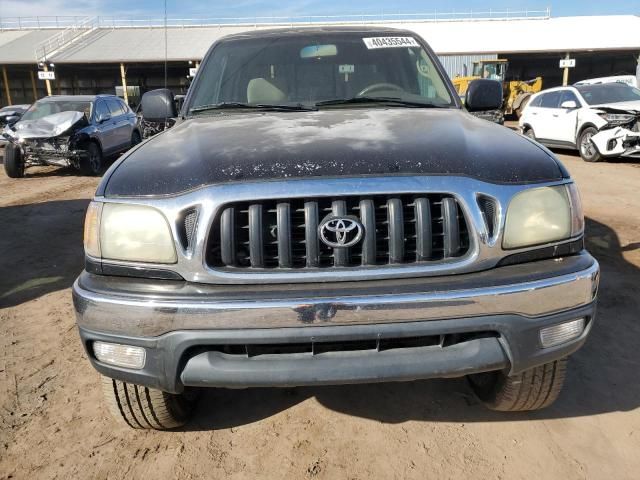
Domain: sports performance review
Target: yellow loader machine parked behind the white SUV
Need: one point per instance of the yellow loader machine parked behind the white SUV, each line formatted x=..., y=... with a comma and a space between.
x=517, y=93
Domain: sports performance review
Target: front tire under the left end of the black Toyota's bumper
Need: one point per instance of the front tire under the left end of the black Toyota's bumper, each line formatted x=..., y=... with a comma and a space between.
x=144, y=408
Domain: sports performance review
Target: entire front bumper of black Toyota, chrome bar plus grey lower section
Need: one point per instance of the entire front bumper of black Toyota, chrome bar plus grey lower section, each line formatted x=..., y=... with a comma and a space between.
x=196, y=335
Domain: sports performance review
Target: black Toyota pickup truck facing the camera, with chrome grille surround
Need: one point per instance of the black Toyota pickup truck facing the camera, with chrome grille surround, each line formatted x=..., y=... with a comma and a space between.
x=326, y=211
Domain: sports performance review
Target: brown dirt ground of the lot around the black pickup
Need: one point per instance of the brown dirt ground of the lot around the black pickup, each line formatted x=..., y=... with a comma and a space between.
x=53, y=423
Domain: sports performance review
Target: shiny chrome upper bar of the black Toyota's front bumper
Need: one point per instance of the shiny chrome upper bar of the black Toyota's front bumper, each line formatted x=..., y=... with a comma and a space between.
x=152, y=308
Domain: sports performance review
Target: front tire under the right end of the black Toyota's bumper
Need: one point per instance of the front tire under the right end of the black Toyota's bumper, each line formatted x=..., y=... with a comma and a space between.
x=532, y=389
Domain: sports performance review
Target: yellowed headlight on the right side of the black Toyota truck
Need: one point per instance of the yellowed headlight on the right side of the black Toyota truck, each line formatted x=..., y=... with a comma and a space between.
x=543, y=215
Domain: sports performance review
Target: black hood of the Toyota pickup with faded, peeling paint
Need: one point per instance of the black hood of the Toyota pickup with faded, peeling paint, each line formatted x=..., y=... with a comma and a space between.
x=251, y=146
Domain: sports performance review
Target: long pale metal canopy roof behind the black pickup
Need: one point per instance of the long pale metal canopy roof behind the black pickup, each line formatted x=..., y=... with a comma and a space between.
x=109, y=40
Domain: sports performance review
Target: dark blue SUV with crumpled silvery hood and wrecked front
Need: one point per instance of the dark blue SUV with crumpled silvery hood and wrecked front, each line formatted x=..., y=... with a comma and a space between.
x=77, y=131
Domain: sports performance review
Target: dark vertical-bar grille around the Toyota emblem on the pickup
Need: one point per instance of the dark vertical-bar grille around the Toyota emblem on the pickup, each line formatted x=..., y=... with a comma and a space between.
x=283, y=234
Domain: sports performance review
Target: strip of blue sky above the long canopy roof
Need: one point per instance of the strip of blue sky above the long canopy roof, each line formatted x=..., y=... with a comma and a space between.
x=248, y=8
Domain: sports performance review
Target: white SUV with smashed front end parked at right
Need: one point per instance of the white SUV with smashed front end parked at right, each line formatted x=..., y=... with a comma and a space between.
x=601, y=121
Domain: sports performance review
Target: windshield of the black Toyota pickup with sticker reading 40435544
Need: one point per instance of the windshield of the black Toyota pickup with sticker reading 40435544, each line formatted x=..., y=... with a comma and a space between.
x=306, y=70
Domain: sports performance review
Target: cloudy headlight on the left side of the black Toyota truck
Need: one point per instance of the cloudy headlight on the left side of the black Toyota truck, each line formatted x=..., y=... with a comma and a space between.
x=128, y=232
